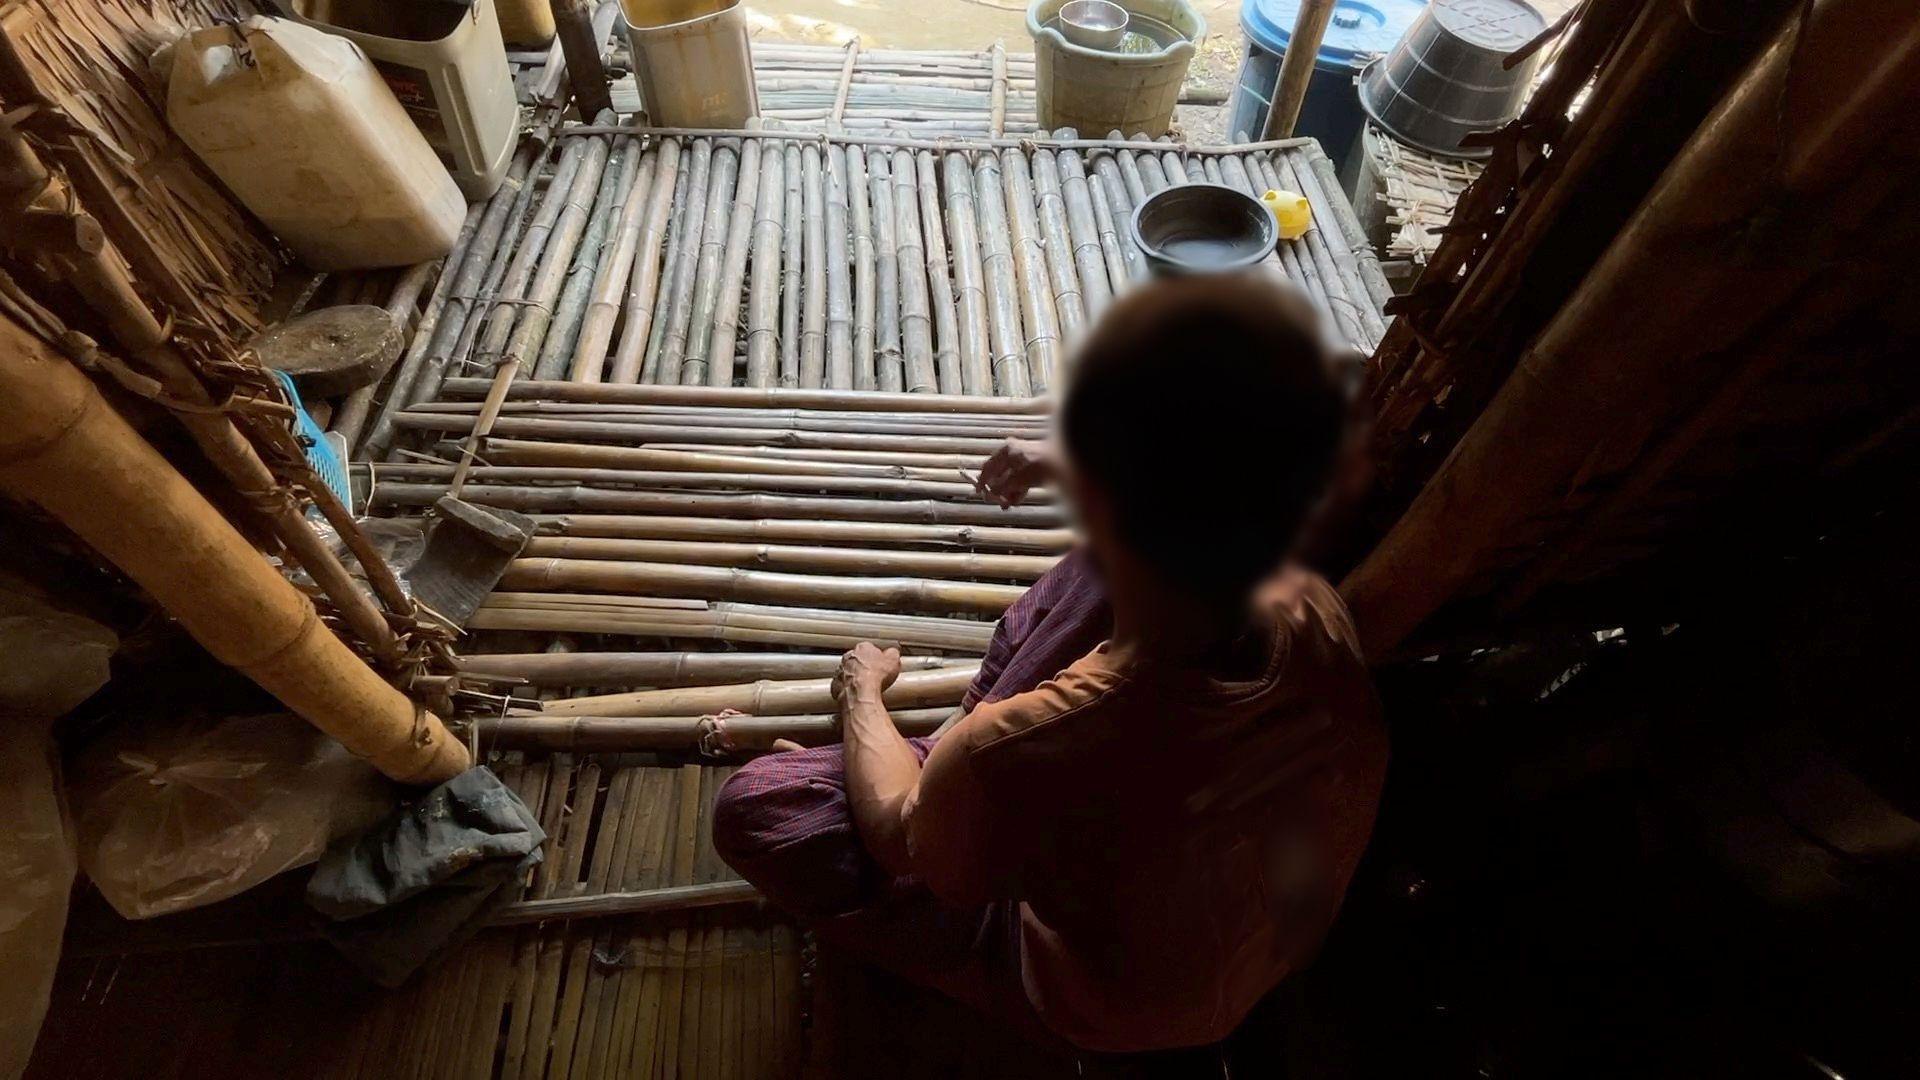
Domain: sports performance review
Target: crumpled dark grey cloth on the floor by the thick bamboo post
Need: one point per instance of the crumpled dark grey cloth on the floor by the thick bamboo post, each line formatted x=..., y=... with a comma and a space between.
x=429, y=877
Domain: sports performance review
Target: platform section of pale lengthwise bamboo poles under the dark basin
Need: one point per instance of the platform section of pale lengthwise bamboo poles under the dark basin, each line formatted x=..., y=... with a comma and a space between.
x=940, y=266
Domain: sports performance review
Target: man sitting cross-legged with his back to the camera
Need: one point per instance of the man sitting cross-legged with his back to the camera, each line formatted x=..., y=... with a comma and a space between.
x=1128, y=848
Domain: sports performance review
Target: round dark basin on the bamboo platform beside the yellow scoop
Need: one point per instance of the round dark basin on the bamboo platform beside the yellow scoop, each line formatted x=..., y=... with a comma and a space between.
x=1203, y=230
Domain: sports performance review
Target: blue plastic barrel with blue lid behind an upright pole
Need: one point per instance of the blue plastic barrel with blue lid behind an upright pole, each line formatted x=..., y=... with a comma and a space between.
x=1360, y=30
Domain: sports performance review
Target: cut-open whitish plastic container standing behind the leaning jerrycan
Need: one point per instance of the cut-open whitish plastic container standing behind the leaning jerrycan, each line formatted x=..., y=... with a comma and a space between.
x=446, y=64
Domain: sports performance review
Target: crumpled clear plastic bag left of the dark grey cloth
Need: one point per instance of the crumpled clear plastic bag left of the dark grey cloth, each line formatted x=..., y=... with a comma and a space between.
x=193, y=812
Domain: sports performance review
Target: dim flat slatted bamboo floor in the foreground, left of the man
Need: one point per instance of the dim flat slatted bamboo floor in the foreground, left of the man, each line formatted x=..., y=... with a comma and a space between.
x=709, y=994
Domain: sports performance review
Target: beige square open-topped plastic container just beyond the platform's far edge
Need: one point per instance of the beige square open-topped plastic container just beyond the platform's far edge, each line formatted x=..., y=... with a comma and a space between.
x=694, y=62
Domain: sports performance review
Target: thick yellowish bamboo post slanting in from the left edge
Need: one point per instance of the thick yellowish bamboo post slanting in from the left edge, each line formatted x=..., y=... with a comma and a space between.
x=68, y=453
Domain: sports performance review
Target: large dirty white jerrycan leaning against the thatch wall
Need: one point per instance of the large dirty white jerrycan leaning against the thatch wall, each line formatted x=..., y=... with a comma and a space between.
x=306, y=134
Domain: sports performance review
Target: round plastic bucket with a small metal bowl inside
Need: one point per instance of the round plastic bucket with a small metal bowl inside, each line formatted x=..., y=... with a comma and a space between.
x=1097, y=91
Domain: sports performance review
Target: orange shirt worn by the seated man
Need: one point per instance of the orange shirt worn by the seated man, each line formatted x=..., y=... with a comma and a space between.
x=1176, y=843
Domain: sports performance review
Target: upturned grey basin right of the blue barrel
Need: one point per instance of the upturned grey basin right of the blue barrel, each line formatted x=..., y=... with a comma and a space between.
x=1445, y=80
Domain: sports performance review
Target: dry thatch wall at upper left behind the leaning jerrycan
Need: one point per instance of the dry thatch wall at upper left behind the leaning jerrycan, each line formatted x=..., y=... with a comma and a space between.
x=85, y=64
